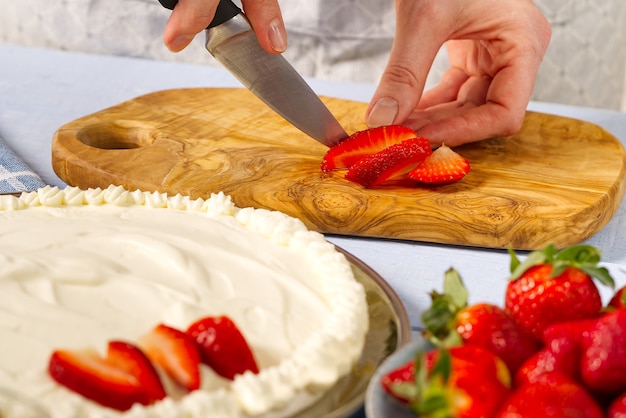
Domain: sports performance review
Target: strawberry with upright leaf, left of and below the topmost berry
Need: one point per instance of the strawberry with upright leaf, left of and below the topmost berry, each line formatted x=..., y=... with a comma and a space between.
x=451, y=321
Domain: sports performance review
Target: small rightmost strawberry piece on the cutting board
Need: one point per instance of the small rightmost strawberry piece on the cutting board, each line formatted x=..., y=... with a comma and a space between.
x=442, y=167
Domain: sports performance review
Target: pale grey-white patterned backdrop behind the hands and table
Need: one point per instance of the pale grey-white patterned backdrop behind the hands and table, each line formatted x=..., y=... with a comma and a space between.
x=585, y=64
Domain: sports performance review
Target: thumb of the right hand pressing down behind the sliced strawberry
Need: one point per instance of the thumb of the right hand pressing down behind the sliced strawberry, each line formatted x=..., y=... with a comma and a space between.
x=412, y=54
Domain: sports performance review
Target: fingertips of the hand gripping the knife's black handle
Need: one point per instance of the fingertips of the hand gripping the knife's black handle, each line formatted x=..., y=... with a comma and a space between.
x=190, y=17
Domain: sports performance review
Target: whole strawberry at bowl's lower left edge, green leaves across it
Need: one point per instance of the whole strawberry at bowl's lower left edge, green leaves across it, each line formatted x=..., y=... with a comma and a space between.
x=462, y=382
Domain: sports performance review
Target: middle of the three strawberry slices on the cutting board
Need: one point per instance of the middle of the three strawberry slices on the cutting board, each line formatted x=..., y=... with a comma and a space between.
x=392, y=162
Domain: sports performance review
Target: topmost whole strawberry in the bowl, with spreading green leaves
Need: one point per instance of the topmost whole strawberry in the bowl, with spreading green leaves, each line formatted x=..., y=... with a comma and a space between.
x=553, y=286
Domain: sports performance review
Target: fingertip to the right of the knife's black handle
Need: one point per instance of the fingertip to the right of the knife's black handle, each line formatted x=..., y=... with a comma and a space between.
x=267, y=21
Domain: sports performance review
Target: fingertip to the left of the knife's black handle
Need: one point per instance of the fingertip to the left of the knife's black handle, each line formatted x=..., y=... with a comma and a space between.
x=188, y=18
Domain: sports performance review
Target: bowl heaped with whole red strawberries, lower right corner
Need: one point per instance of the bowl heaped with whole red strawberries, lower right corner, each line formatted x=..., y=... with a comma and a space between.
x=552, y=348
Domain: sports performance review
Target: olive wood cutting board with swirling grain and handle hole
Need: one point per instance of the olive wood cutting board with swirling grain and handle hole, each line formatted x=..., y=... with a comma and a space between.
x=558, y=180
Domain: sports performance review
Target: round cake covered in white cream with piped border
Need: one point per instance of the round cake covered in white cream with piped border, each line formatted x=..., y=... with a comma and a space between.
x=83, y=267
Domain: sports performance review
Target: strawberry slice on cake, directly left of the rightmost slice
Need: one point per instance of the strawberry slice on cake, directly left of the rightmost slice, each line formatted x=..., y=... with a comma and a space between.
x=176, y=353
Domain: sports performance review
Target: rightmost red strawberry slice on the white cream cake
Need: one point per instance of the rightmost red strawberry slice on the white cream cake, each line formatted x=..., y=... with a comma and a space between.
x=222, y=346
